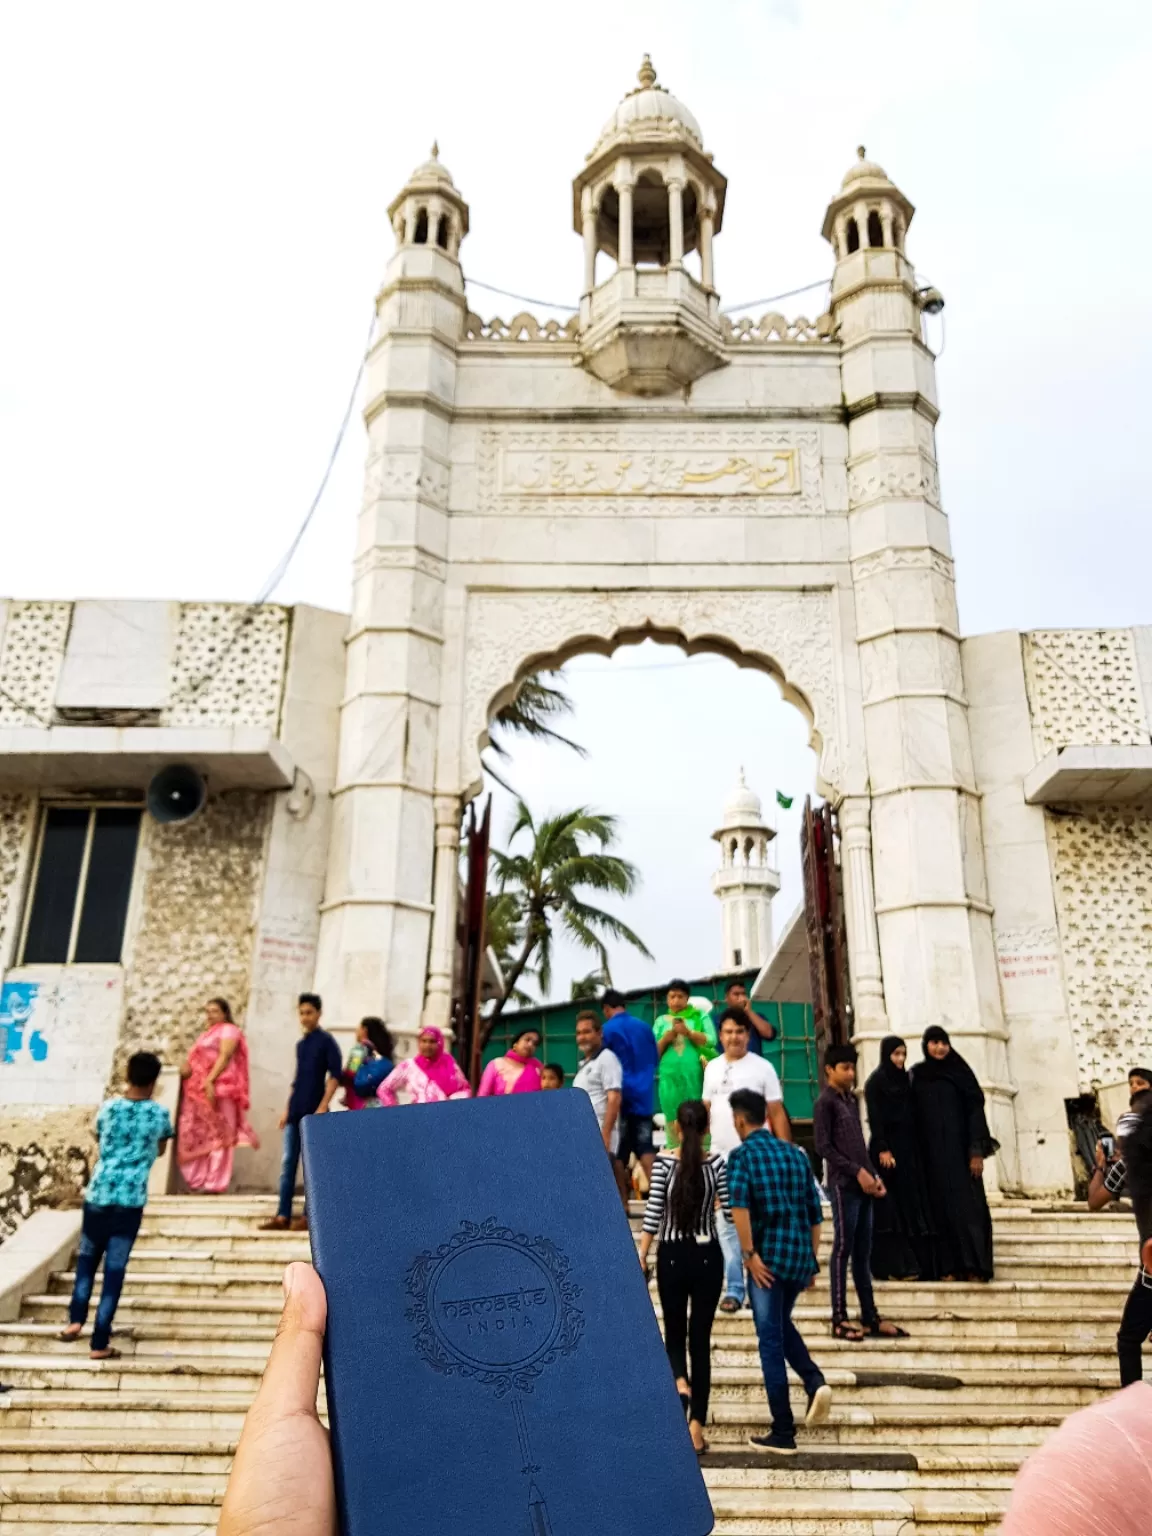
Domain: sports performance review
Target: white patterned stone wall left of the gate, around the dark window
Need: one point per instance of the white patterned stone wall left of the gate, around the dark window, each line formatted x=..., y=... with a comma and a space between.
x=227, y=904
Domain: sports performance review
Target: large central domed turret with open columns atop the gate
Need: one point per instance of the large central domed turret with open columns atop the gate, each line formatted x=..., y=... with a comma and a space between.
x=647, y=197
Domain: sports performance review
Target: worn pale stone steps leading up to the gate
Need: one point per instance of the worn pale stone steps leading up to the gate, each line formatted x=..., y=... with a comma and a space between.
x=925, y=1434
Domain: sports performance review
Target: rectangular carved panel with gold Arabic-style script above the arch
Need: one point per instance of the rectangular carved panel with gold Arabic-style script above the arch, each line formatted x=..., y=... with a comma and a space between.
x=649, y=471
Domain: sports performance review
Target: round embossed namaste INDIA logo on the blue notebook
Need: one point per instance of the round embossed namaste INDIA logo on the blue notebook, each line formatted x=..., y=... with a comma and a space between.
x=494, y=1305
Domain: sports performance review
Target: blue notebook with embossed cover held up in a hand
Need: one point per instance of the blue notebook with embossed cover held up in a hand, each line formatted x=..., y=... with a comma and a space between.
x=494, y=1363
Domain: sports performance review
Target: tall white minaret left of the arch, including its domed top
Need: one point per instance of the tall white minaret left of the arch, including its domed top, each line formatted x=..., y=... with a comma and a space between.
x=388, y=830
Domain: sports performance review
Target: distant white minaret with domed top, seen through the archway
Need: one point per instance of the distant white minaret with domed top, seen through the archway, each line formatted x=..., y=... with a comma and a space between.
x=747, y=881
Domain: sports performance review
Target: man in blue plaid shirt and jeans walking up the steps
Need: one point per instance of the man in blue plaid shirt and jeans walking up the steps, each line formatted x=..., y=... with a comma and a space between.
x=776, y=1211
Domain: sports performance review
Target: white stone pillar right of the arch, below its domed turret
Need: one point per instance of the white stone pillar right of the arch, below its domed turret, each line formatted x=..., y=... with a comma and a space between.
x=932, y=898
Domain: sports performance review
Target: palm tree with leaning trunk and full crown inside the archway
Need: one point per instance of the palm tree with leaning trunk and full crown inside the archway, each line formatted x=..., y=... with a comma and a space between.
x=568, y=855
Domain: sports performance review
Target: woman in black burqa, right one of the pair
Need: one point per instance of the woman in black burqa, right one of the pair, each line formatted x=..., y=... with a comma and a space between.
x=950, y=1111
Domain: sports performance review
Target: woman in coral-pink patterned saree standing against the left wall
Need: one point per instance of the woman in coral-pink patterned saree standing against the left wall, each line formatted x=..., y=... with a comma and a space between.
x=213, y=1111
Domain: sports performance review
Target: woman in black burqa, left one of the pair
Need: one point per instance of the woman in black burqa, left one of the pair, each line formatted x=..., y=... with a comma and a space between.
x=902, y=1233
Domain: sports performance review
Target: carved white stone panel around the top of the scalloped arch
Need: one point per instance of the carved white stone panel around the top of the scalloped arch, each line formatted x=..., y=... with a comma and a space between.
x=790, y=632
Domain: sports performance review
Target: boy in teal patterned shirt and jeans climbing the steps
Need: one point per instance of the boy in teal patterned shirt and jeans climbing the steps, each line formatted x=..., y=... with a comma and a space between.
x=133, y=1134
